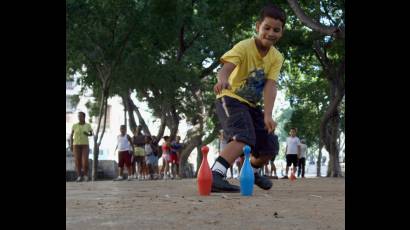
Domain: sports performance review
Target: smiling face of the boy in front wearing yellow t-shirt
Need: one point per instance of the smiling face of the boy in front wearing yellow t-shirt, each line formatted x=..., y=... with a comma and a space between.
x=269, y=31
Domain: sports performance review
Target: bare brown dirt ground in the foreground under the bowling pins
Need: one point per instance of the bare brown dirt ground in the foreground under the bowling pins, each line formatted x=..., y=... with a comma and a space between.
x=310, y=203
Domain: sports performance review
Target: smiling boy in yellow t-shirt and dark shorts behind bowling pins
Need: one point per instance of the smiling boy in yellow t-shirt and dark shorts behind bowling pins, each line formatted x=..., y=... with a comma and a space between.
x=250, y=70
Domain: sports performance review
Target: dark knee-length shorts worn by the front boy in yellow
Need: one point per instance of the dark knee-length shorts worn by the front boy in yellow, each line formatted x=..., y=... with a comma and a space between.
x=245, y=124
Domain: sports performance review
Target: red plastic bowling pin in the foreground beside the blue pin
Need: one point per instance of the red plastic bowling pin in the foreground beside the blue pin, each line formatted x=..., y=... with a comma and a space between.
x=204, y=177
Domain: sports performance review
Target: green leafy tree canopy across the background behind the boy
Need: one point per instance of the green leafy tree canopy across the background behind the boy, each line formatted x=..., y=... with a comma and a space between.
x=158, y=50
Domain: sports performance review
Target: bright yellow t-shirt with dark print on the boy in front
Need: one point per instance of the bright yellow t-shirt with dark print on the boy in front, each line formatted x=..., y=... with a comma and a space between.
x=248, y=78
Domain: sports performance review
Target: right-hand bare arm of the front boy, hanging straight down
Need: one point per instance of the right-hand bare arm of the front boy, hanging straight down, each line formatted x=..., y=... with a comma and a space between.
x=269, y=96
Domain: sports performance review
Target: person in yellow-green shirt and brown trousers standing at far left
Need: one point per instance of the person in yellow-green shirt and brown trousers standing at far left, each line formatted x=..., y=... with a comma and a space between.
x=79, y=146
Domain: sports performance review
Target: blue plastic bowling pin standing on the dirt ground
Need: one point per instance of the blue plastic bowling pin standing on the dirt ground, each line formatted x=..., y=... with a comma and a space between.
x=246, y=178
